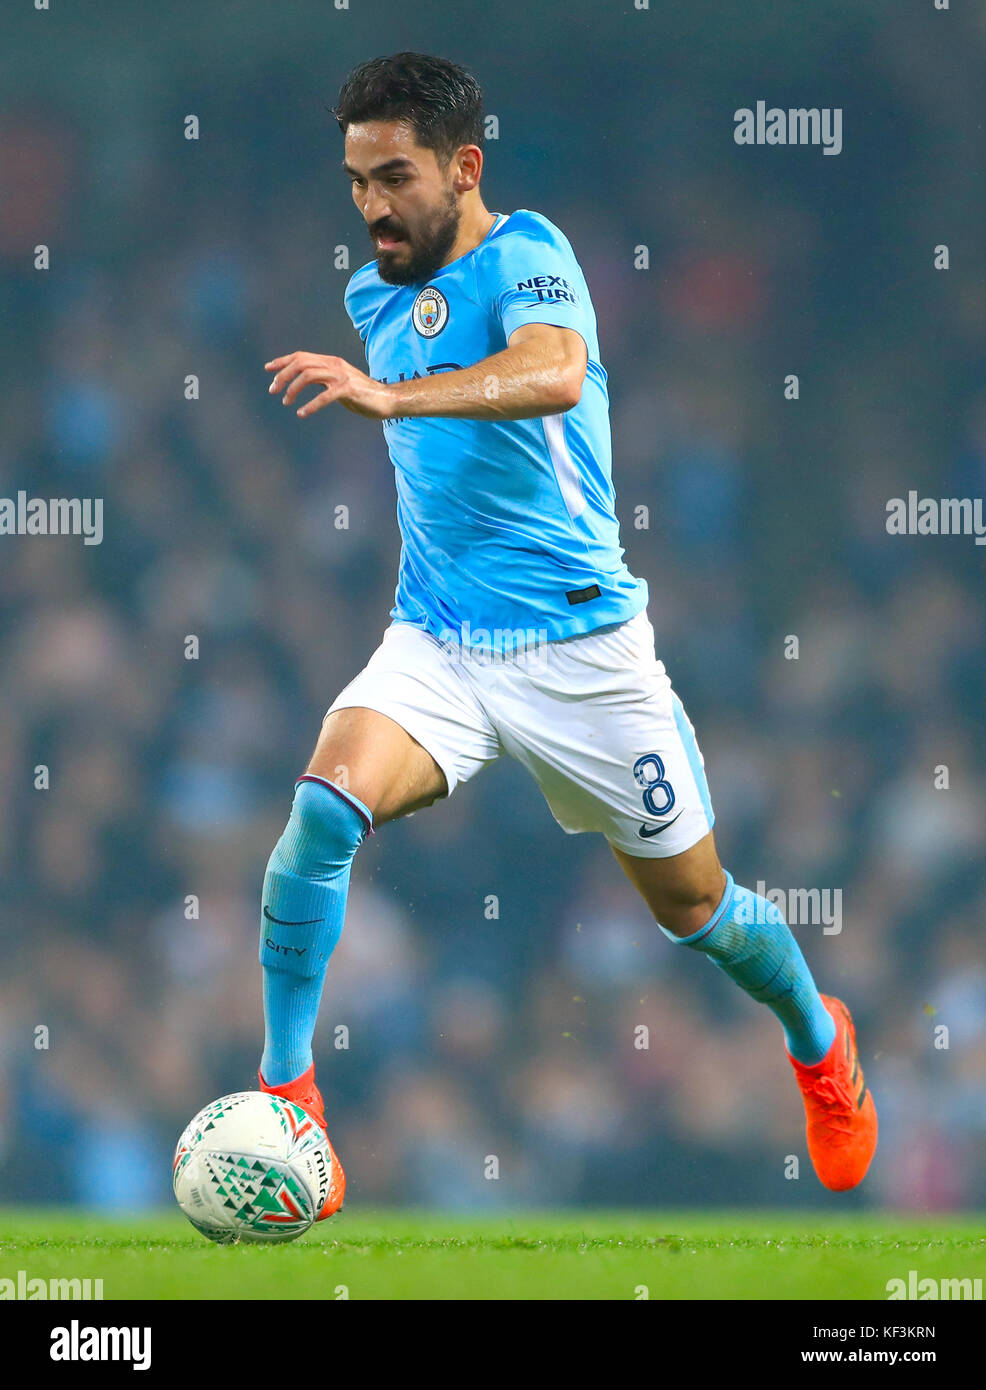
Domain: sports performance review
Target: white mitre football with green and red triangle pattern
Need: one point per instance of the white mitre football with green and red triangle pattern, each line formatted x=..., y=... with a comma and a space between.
x=252, y=1167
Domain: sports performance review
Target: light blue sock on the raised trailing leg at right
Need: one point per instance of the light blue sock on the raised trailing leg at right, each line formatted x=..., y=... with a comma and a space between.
x=749, y=939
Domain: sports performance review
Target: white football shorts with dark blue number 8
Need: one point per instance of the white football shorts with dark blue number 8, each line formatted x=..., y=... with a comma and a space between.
x=593, y=718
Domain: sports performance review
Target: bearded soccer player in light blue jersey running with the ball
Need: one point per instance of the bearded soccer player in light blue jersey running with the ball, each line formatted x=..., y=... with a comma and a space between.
x=517, y=628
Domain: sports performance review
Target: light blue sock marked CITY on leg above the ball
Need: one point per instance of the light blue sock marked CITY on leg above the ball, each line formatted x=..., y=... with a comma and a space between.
x=304, y=906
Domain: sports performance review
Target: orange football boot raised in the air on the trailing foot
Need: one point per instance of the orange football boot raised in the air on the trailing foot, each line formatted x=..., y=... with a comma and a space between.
x=839, y=1109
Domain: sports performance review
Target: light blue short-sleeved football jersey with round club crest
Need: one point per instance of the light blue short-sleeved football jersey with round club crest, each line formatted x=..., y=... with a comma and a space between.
x=508, y=526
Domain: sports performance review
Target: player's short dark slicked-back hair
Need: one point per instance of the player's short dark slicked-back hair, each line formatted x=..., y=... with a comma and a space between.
x=443, y=102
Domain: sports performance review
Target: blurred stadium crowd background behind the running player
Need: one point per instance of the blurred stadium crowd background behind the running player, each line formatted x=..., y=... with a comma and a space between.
x=767, y=518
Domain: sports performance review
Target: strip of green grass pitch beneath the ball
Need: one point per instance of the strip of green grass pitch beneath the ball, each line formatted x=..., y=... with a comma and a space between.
x=557, y=1256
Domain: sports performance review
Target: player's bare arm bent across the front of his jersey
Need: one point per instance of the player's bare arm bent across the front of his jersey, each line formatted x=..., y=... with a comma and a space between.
x=540, y=373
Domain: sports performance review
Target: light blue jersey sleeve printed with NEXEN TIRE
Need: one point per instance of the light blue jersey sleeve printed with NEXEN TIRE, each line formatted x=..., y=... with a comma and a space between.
x=532, y=277
